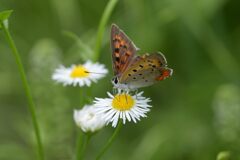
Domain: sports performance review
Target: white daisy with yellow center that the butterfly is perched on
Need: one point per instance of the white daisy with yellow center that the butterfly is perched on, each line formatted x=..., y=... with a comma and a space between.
x=124, y=106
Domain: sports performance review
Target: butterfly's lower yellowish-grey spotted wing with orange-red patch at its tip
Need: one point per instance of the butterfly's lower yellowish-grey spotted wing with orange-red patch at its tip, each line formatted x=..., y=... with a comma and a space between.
x=146, y=70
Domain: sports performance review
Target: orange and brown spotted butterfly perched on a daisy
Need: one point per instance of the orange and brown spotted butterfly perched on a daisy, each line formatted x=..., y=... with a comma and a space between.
x=132, y=71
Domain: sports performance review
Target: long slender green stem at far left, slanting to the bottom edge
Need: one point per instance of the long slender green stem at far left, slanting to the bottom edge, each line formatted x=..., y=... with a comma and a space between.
x=31, y=105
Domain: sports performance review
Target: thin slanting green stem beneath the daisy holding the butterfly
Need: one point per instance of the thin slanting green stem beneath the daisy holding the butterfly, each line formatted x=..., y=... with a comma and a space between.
x=110, y=141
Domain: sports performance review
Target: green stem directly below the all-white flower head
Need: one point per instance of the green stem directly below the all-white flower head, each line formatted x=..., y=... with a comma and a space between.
x=82, y=145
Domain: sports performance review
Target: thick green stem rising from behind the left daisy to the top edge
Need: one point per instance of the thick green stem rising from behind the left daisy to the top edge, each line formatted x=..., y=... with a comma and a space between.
x=106, y=14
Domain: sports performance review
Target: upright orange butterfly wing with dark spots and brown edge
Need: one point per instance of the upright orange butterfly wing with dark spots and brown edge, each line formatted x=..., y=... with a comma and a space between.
x=123, y=50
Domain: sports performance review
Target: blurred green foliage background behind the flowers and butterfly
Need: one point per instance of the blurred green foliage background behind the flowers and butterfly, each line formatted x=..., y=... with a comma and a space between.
x=196, y=112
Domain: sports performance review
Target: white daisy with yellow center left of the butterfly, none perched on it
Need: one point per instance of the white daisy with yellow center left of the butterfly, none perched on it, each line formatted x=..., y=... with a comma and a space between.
x=80, y=75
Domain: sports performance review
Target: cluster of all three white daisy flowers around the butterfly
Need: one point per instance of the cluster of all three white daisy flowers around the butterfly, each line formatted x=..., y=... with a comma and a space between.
x=120, y=106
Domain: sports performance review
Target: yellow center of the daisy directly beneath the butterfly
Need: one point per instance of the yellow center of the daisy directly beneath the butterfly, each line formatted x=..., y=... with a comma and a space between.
x=123, y=102
